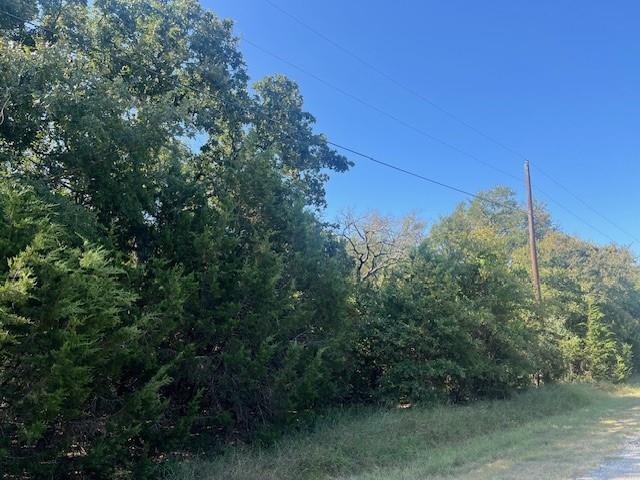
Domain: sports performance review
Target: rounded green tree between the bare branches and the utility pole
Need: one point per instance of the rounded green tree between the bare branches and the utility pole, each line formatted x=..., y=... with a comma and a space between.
x=447, y=322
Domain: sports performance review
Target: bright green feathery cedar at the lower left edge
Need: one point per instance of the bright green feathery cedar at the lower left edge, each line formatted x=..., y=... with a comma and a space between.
x=70, y=337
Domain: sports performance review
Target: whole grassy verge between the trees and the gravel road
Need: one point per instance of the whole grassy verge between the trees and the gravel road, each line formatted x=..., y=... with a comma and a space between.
x=553, y=432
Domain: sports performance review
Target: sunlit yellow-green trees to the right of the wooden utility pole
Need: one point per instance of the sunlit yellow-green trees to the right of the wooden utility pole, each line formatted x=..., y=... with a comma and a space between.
x=577, y=277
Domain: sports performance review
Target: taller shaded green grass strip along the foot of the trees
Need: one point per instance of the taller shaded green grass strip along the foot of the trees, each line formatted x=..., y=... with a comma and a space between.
x=346, y=443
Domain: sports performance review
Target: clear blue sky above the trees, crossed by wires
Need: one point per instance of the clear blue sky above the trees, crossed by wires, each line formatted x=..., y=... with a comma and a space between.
x=556, y=80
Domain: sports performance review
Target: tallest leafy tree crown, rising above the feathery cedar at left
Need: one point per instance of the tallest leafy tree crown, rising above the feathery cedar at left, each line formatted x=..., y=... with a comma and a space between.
x=90, y=111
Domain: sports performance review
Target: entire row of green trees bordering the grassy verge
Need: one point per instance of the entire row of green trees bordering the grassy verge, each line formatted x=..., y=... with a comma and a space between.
x=156, y=300
